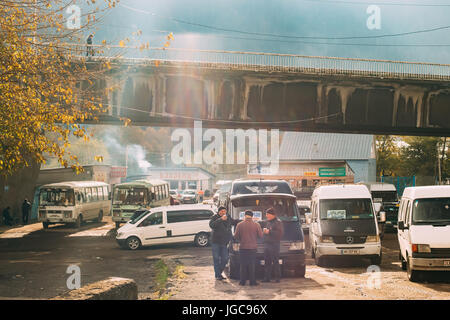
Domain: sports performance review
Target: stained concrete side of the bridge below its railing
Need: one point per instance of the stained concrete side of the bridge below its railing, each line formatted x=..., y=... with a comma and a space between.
x=177, y=95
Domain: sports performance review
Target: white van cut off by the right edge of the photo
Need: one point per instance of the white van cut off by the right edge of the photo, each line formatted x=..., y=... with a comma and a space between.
x=424, y=230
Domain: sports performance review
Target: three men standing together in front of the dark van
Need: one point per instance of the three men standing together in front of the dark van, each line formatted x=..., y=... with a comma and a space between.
x=247, y=232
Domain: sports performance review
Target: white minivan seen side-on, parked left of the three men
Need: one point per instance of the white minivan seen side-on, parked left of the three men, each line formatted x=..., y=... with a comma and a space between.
x=171, y=224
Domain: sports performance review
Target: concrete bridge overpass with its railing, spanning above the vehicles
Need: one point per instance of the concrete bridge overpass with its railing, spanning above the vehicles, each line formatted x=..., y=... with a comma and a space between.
x=175, y=87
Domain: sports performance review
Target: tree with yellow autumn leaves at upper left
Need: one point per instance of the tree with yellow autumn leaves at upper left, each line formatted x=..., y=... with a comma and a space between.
x=39, y=75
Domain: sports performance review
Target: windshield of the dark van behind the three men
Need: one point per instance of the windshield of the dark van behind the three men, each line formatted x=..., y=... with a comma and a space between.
x=285, y=208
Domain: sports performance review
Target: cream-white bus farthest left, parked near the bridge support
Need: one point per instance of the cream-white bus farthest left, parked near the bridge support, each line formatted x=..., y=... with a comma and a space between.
x=73, y=202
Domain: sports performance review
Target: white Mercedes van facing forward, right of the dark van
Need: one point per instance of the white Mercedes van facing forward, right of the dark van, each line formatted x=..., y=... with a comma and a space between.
x=343, y=223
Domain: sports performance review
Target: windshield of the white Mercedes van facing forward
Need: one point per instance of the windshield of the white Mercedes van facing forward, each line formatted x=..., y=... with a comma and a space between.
x=346, y=209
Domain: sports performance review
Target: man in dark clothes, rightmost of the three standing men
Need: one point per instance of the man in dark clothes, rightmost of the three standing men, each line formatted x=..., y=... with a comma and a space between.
x=273, y=232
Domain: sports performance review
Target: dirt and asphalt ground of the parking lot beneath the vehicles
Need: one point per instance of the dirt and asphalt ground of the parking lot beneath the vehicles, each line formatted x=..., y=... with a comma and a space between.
x=33, y=264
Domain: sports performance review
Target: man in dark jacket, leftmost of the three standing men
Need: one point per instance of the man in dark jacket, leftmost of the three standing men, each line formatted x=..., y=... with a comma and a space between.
x=221, y=235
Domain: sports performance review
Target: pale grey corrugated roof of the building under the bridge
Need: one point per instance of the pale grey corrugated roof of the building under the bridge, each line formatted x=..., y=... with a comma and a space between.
x=298, y=146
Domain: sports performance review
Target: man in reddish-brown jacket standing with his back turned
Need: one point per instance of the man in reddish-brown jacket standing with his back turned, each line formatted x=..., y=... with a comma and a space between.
x=247, y=233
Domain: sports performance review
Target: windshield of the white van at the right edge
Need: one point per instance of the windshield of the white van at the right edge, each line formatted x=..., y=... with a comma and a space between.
x=433, y=210
